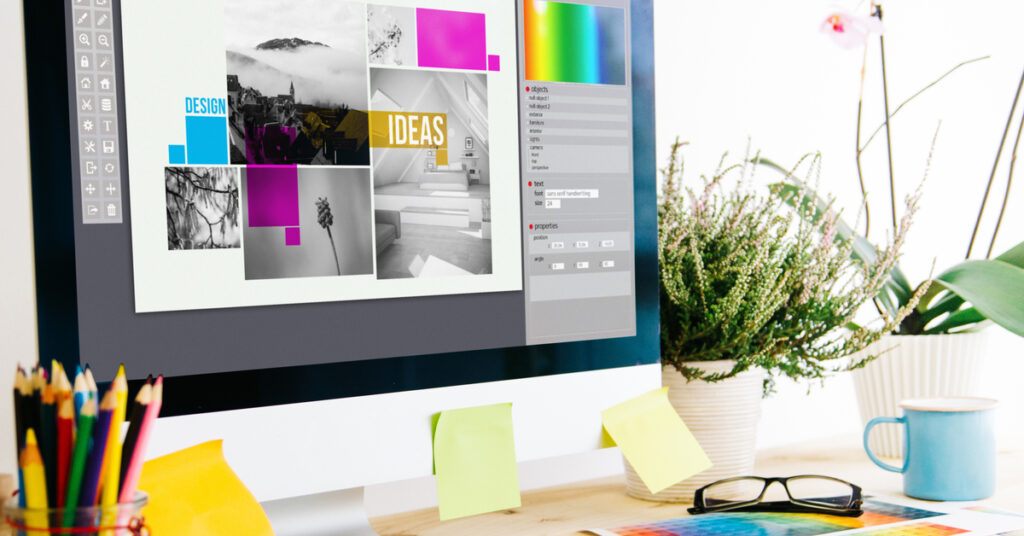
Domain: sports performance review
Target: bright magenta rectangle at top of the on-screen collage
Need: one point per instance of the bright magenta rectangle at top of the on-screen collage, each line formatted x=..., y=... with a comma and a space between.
x=451, y=39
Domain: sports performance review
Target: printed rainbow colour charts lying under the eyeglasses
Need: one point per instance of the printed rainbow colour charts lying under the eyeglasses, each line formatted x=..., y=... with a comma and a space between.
x=877, y=514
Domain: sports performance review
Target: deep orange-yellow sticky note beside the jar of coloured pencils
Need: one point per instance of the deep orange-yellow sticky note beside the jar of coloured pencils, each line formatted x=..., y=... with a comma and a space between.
x=194, y=492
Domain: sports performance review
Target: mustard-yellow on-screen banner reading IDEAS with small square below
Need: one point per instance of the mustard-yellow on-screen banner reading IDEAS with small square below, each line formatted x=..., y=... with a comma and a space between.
x=411, y=131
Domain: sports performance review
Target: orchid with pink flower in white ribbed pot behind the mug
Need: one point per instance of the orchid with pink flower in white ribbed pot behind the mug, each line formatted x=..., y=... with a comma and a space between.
x=938, y=350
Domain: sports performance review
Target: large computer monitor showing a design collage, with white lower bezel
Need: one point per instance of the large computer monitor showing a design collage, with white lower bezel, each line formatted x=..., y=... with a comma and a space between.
x=325, y=221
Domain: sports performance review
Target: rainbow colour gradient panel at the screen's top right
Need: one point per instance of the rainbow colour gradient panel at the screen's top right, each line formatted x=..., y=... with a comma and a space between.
x=575, y=44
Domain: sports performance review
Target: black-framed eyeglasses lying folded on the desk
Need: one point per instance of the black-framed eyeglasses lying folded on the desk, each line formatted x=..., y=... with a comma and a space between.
x=806, y=493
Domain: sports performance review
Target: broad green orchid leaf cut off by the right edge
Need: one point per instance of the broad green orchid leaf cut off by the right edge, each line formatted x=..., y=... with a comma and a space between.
x=994, y=287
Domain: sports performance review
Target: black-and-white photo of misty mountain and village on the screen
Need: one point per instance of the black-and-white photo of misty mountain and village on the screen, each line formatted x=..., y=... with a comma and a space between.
x=297, y=83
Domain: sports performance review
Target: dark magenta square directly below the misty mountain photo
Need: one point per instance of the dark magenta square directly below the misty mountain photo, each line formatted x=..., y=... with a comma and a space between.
x=273, y=196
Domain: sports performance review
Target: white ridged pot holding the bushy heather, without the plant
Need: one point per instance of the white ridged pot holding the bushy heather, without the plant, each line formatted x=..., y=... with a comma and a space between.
x=723, y=418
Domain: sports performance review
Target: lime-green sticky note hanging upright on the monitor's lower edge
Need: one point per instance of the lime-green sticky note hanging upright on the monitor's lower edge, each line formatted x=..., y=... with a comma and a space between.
x=475, y=460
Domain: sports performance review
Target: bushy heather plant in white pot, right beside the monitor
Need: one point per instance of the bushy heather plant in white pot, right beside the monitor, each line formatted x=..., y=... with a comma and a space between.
x=750, y=293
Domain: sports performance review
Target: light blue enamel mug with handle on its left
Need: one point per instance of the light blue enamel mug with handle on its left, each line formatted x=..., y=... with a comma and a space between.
x=949, y=448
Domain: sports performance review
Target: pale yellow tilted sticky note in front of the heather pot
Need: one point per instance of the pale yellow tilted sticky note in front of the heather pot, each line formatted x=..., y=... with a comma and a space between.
x=655, y=440
